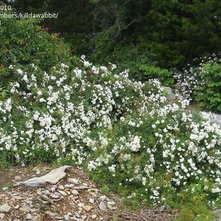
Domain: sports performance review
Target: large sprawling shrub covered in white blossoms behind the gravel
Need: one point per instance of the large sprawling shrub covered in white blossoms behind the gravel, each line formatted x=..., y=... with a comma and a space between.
x=124, y=131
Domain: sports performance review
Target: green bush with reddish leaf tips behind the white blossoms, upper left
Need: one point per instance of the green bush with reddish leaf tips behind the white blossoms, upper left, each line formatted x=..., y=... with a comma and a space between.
x=23, y=42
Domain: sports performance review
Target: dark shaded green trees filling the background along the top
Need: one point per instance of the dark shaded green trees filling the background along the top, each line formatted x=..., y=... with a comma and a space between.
x=167, y=33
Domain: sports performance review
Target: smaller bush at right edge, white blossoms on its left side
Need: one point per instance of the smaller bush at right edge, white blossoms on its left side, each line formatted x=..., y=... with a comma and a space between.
x=202, y=84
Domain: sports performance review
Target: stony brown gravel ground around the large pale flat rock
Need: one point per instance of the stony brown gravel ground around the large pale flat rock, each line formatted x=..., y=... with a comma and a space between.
x=74, y=197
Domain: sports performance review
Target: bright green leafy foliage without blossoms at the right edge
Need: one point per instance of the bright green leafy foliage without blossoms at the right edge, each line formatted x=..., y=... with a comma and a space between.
x=208, y=96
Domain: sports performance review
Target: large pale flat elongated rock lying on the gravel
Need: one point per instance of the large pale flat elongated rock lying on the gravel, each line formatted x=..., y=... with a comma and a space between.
x=53, y=177
